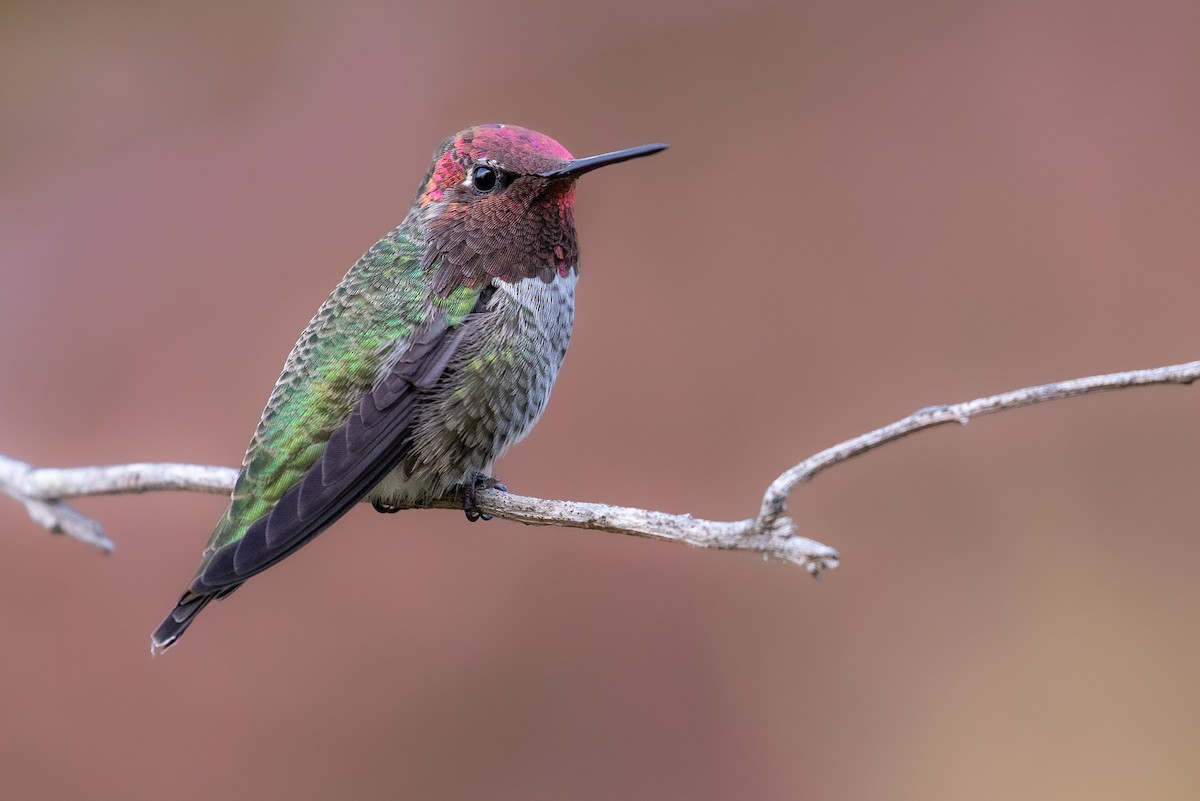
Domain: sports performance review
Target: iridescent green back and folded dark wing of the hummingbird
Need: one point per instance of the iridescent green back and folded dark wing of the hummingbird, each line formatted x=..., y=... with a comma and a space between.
x=338, y=419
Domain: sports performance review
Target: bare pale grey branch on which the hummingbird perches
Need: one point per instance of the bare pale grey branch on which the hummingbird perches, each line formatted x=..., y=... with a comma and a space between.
x=772, y=533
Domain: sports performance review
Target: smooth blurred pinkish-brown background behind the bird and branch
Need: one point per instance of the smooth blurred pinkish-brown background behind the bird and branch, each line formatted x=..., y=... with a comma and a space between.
x=868, y=208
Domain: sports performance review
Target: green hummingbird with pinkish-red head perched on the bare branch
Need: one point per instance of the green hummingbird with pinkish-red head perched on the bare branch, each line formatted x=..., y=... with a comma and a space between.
x=435, y=354
